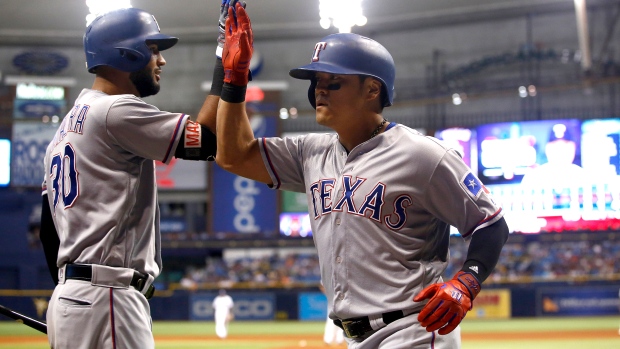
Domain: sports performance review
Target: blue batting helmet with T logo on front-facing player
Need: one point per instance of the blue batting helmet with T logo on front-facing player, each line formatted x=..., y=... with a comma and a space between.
x=350, y=54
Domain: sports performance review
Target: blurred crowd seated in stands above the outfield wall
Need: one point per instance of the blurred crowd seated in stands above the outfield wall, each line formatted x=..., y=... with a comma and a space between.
x=532, y=261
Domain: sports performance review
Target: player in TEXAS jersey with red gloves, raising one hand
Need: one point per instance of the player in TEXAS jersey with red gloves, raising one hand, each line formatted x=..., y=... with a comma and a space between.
x=381, y=196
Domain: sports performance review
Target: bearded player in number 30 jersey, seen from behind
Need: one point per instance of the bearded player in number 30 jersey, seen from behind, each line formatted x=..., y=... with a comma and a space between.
x=100, y=222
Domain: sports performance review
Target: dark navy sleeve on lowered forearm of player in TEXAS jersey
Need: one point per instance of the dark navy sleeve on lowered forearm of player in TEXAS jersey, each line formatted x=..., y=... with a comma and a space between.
x=485, y=248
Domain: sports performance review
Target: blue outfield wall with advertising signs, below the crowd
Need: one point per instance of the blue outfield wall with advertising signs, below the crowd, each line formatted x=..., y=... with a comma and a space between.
x=544, y=300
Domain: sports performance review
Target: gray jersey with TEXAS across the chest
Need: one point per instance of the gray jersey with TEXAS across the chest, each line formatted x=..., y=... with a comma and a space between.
x=380, y=215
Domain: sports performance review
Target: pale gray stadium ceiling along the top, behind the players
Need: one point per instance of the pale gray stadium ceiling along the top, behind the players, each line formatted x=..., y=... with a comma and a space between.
x=62, y=22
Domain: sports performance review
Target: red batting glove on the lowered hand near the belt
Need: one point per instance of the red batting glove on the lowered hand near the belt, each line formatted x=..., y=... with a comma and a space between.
x=449, y=302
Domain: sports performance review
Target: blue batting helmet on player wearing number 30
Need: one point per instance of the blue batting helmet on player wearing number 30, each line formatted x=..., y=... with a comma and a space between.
x=120, y=39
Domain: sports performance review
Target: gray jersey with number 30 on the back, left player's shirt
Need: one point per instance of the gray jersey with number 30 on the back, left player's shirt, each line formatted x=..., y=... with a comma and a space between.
x=100, y=180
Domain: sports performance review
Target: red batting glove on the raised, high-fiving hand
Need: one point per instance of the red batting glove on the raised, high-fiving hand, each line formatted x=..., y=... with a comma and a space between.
x=238, y=48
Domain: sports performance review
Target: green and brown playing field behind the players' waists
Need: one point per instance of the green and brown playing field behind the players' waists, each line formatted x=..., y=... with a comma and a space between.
x=312, y=331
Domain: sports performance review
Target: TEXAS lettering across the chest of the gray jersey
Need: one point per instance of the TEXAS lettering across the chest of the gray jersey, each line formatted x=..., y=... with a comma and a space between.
x=324, y=203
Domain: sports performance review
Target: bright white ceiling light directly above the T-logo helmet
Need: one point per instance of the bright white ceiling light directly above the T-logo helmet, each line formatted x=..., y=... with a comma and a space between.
x=342, y=14
